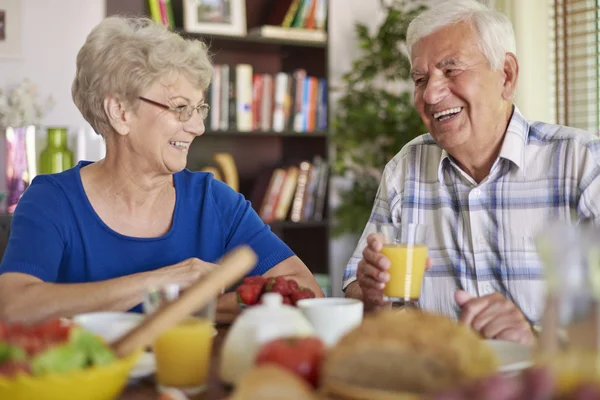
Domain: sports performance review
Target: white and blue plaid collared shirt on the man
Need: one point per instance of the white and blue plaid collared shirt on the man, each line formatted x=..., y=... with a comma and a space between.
x=481, y=236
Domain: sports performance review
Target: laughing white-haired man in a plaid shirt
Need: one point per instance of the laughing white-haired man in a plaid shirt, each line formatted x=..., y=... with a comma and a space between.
x=484, y=179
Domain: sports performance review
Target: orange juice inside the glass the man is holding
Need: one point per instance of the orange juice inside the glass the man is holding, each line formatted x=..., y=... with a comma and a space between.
x=407, y=267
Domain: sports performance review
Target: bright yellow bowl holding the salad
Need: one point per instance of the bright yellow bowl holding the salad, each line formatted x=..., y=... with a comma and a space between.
x=96, y=383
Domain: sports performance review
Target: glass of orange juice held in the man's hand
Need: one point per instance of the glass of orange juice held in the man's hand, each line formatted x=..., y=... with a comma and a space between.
x=404, y=245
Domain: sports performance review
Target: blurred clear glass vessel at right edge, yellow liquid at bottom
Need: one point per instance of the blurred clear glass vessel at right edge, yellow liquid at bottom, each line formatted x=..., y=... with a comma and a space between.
x=569, y=338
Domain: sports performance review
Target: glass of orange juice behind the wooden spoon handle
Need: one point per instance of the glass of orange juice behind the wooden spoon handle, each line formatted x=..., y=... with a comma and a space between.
x=182, y=352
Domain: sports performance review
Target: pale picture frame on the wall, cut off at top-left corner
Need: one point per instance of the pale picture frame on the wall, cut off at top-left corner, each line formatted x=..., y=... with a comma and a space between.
x=10, y=29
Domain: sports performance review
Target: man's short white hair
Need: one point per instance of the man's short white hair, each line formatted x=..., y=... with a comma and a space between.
x=495, y=30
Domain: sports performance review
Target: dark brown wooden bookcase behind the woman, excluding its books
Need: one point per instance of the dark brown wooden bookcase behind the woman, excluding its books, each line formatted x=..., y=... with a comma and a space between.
x=257, y=153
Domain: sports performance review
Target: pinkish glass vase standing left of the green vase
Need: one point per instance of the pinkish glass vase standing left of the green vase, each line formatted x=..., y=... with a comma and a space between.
x=18, y=175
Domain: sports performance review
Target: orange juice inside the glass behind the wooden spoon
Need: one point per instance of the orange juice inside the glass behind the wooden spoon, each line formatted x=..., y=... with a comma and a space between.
x=183, y=354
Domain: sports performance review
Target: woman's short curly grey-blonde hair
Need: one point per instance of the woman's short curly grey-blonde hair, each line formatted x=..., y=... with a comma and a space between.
x=122, y=57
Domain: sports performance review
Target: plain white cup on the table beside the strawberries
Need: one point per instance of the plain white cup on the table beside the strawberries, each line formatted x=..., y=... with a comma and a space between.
x=332, y=317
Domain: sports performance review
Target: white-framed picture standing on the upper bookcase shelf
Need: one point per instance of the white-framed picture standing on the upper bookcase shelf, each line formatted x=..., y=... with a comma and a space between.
x=220, y=17
